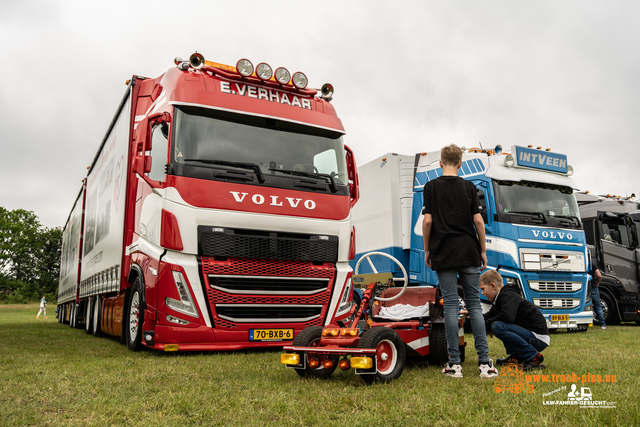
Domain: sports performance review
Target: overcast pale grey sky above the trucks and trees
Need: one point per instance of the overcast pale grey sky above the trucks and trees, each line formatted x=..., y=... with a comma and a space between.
x=410, y=76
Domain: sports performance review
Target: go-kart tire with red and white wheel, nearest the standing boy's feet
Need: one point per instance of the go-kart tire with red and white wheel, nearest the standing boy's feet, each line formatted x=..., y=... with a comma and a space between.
x=390, y=354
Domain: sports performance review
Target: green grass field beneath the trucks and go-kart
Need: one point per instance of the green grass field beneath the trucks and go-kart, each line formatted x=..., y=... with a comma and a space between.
x=52, y=375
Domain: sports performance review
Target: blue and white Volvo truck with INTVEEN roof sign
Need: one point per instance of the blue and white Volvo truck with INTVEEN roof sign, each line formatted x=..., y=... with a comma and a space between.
x=534, y=234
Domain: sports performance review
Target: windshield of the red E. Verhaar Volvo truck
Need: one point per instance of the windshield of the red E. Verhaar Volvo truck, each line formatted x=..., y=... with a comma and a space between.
x=257, y=149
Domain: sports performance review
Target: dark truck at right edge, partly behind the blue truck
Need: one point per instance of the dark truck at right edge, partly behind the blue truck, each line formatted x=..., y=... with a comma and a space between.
x=611, y=226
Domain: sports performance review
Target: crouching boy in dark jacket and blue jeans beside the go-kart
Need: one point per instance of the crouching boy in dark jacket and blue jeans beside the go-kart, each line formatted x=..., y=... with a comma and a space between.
x=518, y=323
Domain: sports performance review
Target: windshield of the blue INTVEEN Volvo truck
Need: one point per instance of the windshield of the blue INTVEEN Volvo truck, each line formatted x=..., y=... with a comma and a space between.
x=527, y=202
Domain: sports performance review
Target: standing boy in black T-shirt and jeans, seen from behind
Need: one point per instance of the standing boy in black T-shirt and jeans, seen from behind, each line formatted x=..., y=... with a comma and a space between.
x=454, y=246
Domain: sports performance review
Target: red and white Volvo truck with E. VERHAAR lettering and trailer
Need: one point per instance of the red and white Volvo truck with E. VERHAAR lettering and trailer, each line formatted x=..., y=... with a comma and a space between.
x=216, y=214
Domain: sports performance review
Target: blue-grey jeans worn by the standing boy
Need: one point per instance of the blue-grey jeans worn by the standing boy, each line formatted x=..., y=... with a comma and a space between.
x=470, y=281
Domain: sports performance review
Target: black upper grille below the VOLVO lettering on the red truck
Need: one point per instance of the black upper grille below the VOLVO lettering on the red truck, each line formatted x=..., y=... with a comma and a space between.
x=257, y=244
